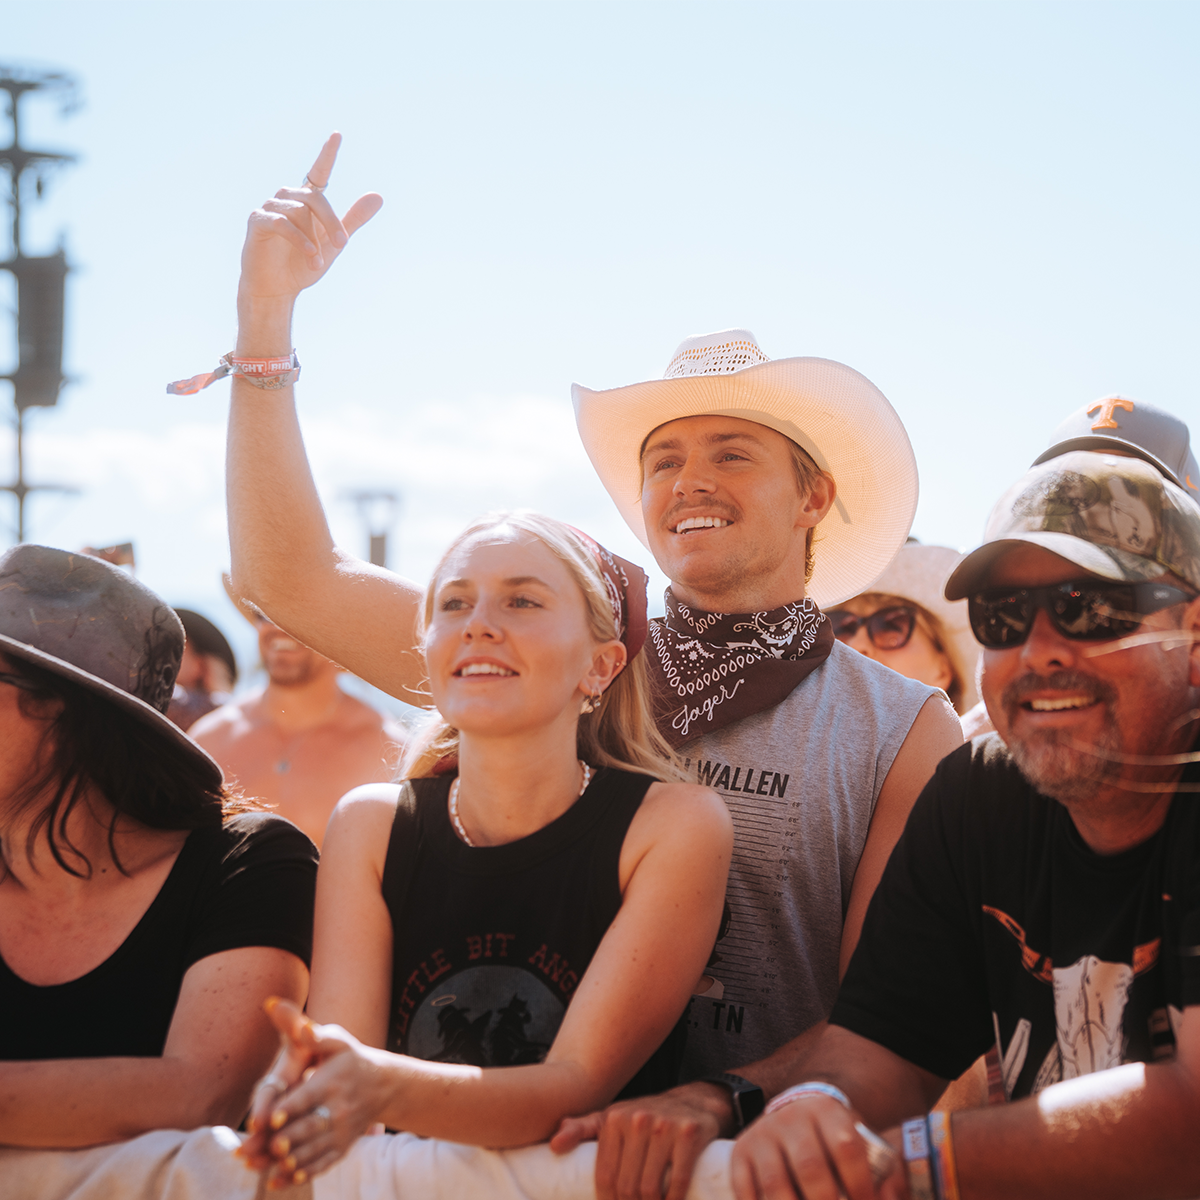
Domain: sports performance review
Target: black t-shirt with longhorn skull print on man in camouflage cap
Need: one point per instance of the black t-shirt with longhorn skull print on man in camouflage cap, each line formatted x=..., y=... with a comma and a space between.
x=995, y=925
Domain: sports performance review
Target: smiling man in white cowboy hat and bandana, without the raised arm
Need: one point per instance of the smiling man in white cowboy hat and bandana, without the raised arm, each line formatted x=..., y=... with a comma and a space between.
x=765, y=490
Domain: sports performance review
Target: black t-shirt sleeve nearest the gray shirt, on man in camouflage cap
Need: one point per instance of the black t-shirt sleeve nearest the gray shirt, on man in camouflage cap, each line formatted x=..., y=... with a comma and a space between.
x=917, y=982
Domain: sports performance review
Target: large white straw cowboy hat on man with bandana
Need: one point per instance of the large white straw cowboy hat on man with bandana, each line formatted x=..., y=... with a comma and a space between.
x=839, y=417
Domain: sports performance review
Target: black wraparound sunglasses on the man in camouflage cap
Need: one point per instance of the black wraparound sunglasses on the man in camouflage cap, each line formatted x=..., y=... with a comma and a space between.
x=1083, y=610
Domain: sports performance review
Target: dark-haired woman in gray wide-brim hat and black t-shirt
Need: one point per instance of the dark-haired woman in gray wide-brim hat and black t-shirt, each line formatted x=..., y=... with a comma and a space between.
x=146, y=914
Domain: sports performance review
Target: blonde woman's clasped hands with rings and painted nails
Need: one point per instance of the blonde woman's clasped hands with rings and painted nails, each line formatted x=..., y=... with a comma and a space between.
x=322, y=1094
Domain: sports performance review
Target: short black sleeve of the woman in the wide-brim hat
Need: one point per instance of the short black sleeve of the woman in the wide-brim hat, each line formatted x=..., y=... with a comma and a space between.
x=260, y=892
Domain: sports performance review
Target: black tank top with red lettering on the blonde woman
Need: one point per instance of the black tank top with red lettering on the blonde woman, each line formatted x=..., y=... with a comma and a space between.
x=490, y=943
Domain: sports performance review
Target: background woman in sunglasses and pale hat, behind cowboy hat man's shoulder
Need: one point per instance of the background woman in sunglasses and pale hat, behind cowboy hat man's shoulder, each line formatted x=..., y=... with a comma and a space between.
x=907, y=625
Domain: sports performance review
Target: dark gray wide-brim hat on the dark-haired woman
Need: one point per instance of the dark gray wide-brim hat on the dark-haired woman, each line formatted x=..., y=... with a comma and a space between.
x=95, y=625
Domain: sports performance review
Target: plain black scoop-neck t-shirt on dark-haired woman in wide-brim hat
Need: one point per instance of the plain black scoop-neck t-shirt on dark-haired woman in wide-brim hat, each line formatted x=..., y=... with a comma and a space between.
x=248, y=883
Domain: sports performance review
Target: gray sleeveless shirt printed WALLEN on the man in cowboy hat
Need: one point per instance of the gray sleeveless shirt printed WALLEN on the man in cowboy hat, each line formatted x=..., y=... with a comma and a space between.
x=801, y=781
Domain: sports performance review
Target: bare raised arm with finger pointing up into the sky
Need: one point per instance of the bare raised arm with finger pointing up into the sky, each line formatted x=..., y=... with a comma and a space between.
x=285, y=560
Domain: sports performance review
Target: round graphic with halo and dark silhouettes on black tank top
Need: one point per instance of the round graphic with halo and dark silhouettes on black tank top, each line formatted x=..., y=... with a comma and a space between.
x=487, y=1017
